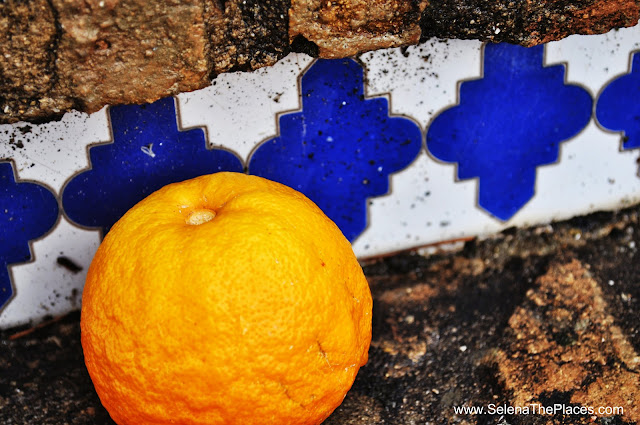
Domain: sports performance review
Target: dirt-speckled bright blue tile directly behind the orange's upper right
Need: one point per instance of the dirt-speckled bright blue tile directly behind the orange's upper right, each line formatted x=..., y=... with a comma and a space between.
x=340, y=148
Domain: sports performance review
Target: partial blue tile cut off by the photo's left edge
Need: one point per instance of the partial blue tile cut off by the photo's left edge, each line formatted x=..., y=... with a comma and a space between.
x=27, y=211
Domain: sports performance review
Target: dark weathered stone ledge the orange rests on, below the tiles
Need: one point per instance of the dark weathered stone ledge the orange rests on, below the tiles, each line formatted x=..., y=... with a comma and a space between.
x=546, y=316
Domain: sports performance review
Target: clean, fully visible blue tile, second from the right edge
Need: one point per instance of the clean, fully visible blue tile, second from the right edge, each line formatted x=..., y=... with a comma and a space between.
x=507, y=124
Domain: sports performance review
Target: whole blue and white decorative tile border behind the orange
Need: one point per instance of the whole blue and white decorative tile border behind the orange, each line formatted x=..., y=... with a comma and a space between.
x=401, y=148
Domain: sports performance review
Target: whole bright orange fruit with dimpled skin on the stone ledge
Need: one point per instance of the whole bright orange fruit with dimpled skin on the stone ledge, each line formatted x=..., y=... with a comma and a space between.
x=225, y=299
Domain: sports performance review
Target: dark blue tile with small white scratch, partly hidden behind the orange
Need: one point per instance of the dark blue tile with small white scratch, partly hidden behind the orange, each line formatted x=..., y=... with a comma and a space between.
x=148, y=152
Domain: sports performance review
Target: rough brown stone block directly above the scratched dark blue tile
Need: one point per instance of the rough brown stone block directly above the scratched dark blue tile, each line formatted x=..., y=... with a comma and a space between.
x=117, y=51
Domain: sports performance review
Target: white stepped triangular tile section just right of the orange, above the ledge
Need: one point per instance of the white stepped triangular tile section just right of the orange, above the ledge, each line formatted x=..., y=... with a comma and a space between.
x=426, y=205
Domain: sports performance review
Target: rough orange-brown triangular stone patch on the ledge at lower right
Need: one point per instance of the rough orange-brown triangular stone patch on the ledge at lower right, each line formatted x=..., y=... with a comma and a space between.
x=563, y=339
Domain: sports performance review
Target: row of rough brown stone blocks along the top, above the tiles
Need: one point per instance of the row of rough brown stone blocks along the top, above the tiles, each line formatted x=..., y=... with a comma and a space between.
x=57, y=55
